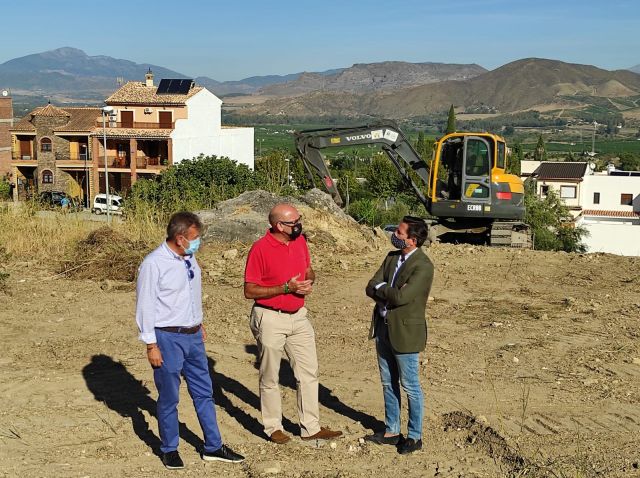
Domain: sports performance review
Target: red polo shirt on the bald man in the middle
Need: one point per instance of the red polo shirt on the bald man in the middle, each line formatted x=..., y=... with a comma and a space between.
x=271, y=262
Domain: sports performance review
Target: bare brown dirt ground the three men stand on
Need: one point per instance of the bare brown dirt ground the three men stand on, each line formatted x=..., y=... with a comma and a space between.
x=532, y=368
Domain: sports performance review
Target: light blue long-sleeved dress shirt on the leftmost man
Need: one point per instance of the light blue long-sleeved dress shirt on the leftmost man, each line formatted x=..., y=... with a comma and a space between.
x=166, y=295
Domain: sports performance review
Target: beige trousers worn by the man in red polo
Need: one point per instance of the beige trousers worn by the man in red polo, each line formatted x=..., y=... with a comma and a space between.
x=276, y=332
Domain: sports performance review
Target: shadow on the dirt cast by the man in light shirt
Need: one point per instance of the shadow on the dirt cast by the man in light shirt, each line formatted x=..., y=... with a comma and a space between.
x=111, y=383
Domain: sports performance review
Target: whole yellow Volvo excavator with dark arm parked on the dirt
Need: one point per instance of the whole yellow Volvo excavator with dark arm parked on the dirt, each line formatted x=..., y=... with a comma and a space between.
x=465, y=187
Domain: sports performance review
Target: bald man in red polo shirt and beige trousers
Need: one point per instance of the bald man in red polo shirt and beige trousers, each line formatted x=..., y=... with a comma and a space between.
x=278, y=276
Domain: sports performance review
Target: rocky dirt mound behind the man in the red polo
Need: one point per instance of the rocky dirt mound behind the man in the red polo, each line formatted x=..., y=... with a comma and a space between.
x=244, y=219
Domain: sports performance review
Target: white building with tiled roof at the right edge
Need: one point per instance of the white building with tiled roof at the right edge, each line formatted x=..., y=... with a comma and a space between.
x=606, y=204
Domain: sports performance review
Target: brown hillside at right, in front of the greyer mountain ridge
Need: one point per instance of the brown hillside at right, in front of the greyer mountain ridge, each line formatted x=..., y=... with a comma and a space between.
x=520, y=85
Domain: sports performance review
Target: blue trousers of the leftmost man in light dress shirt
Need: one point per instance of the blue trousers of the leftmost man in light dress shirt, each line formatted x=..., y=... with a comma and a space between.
x=184, y=354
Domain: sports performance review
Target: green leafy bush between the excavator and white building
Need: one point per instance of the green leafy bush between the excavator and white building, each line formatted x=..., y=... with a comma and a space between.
x=551, y=222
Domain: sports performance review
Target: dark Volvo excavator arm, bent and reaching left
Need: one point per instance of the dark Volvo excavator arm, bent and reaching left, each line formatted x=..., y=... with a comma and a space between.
x=394, y=143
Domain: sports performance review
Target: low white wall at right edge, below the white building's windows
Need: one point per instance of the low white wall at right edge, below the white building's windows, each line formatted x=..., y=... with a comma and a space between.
x=613, y=235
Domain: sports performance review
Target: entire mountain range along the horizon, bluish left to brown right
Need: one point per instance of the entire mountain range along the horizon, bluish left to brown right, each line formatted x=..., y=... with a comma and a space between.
x=387, y=89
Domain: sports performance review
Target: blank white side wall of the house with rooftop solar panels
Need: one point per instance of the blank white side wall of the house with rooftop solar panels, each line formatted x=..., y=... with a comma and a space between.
x=202, y=133
